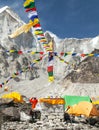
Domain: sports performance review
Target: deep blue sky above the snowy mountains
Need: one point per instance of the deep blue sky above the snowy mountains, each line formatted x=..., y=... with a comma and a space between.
x=65, y=18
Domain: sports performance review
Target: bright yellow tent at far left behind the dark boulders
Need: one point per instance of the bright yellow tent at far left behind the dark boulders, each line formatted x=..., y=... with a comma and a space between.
x=15, y=96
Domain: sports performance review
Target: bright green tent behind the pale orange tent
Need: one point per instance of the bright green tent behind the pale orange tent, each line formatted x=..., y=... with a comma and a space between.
x=71, y=100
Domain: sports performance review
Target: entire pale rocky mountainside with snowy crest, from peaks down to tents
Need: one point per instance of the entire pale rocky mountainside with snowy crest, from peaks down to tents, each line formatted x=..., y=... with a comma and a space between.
x=65, y=75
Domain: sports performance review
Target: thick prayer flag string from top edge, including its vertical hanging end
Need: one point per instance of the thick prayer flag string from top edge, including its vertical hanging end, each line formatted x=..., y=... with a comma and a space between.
x=32, y=14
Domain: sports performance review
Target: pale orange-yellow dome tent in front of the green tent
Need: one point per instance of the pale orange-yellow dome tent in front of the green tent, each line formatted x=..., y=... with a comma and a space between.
x=83, y=108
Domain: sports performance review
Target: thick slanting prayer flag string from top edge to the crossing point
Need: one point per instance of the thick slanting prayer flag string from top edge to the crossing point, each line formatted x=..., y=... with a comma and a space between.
x=32, y=15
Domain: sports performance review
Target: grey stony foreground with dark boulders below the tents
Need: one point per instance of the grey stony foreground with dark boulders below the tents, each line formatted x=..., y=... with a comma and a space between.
x=17, y=117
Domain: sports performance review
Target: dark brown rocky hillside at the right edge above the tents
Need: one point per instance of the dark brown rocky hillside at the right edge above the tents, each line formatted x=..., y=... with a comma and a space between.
x=87, y=71
